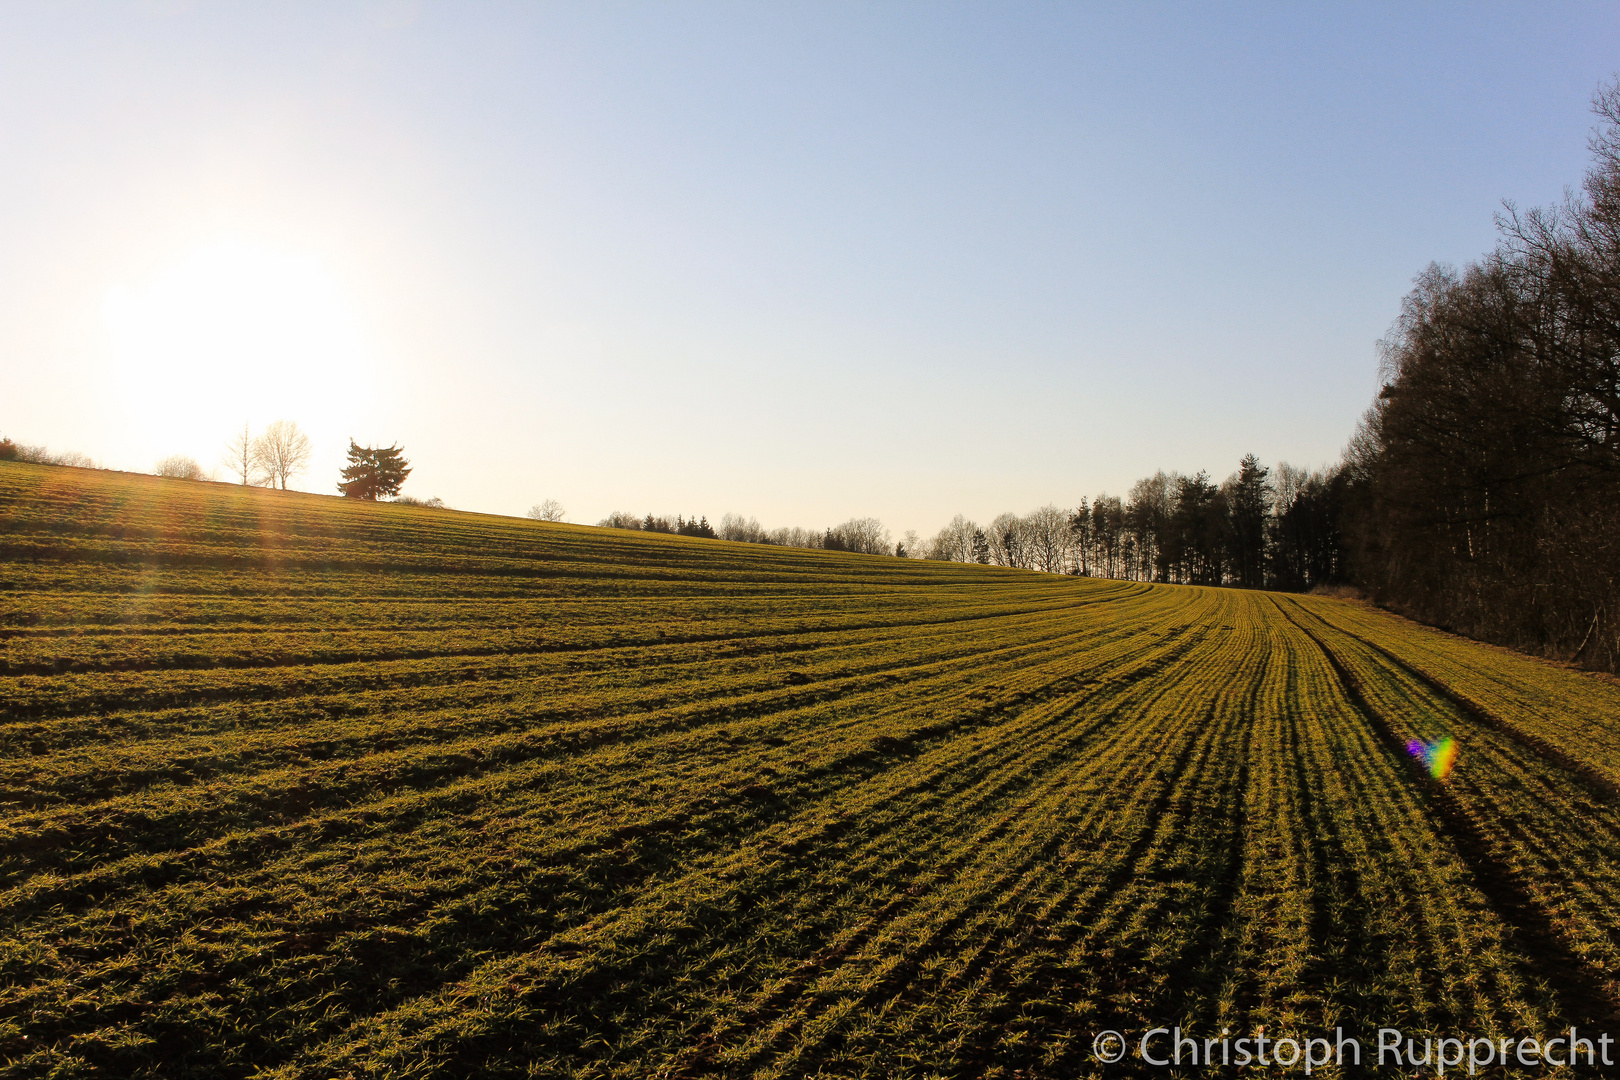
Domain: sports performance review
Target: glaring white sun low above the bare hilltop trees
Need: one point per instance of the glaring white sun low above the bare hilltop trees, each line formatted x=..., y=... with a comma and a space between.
x=237, y=333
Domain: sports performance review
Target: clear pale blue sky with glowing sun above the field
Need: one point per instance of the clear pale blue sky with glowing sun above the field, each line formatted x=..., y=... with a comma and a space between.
x=798, y=261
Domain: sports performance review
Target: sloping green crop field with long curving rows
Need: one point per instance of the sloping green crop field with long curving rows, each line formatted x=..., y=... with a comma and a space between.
x=296, y=788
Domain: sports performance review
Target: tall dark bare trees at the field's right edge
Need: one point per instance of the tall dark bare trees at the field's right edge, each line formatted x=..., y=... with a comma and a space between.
x=1485, y=482
